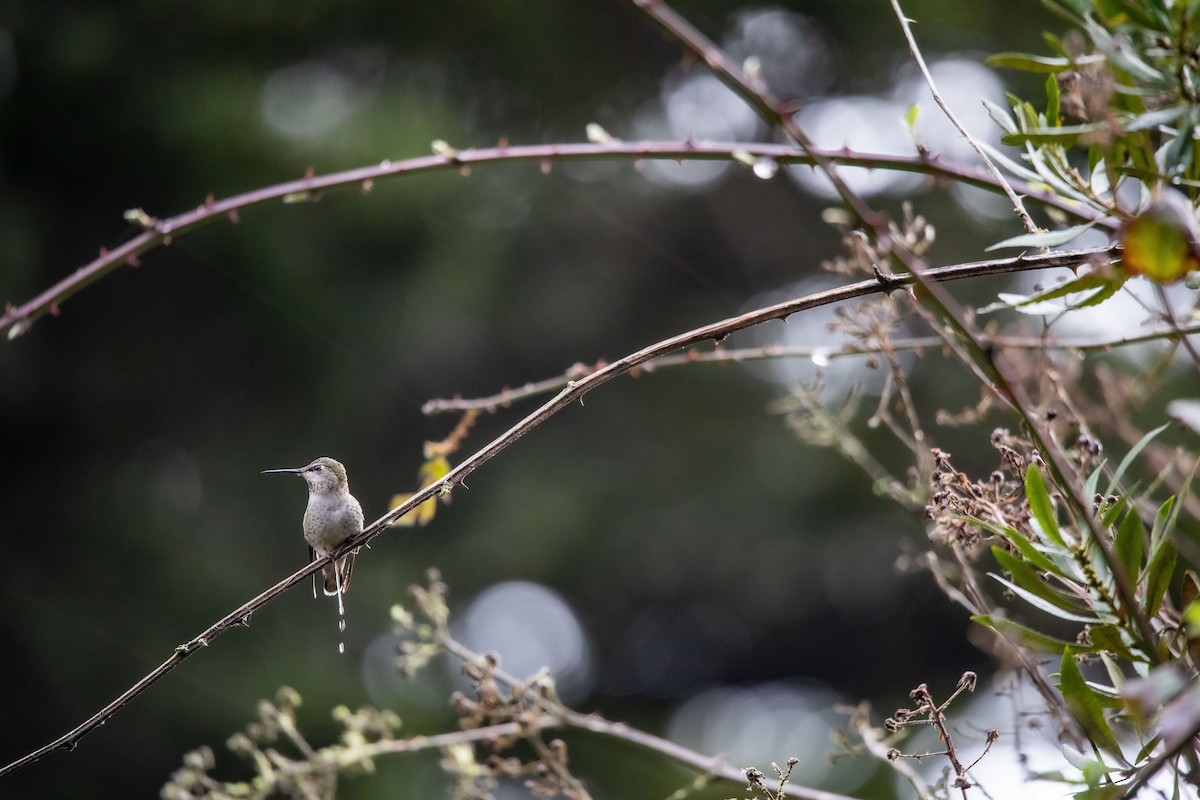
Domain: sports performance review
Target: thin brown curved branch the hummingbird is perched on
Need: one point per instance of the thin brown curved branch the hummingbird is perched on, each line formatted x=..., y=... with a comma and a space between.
x=573, y=393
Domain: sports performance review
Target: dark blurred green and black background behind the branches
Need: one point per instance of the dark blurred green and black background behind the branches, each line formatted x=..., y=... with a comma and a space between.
x=135, y=425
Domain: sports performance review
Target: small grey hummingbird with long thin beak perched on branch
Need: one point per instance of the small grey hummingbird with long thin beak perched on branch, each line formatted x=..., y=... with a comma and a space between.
x=333, y=516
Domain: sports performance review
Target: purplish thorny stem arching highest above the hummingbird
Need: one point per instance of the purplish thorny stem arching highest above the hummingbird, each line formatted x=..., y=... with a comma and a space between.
x=159, y=233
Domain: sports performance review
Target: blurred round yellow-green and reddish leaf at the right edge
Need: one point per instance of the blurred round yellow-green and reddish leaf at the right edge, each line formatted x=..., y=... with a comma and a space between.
x=1161, y=243
